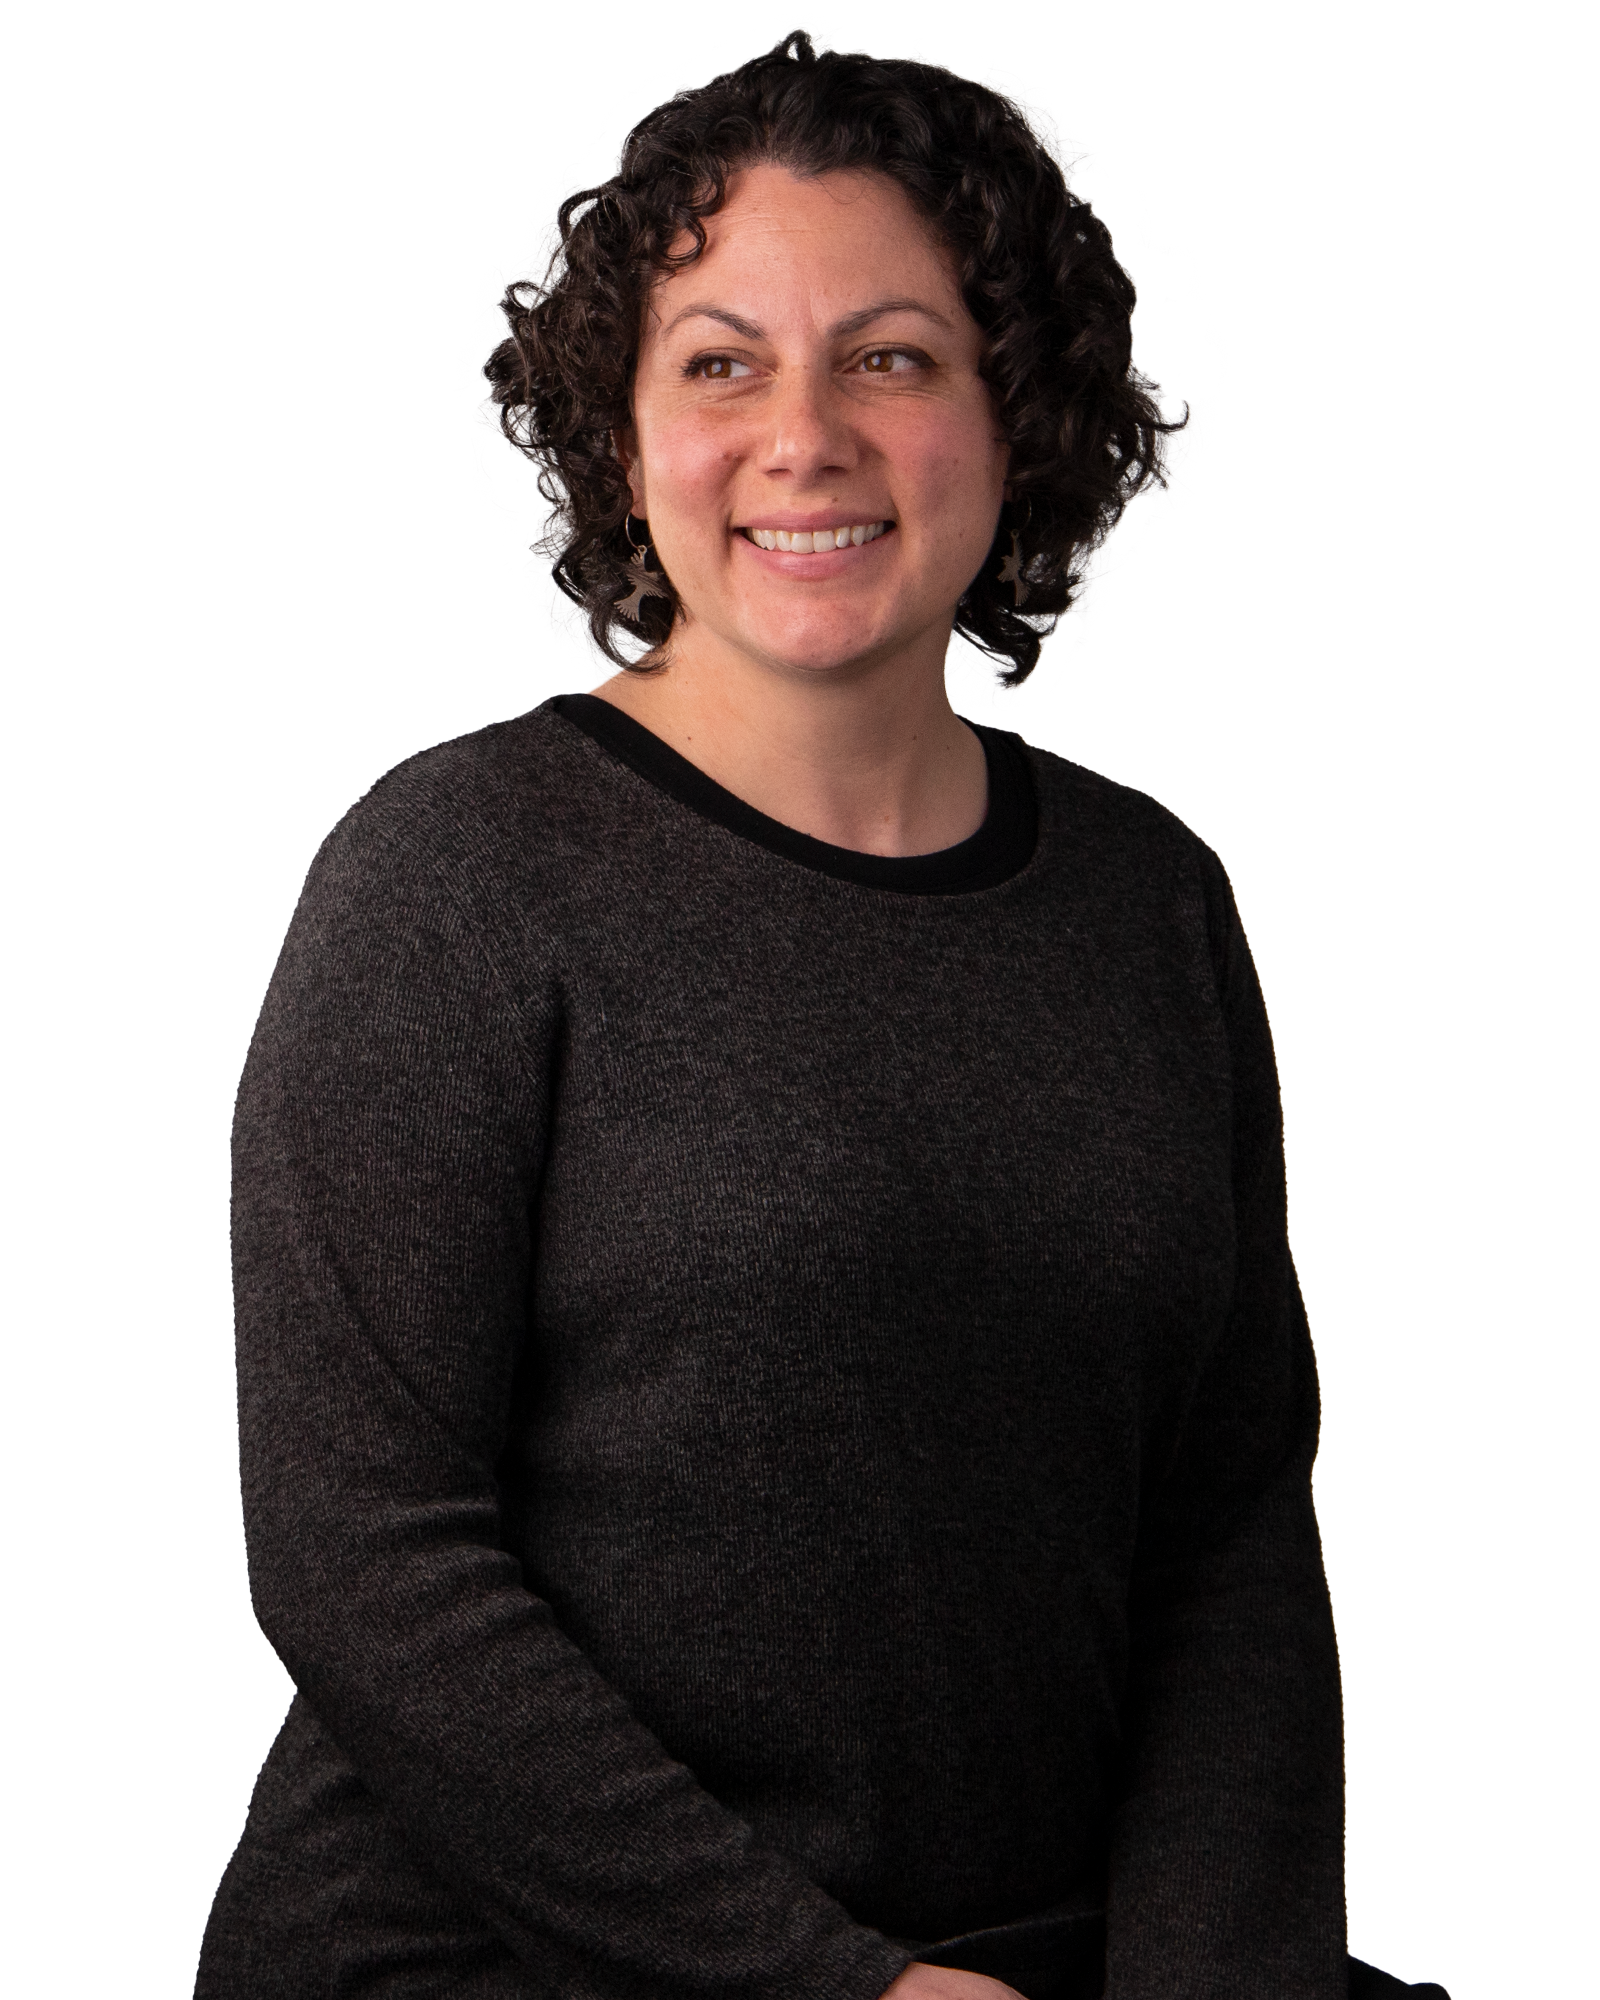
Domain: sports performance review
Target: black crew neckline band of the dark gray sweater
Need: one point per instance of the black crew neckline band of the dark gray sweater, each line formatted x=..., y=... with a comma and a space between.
x=999, y=851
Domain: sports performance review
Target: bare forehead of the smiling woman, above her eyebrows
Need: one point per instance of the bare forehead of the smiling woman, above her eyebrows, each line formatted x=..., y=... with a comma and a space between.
x=821, y=233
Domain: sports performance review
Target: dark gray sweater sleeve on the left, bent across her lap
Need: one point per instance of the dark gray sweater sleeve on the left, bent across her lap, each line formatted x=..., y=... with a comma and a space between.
x=391, y=1135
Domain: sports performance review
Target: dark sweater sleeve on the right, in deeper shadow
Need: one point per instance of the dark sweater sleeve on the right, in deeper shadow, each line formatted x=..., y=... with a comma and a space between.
x=1227, y=1875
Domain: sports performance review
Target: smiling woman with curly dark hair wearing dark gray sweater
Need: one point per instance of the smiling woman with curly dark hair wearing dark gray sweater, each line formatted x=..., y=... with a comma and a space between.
x=777, y=1413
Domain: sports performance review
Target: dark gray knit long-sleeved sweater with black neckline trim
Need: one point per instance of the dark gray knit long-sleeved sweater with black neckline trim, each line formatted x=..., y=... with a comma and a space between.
x=775, y=1405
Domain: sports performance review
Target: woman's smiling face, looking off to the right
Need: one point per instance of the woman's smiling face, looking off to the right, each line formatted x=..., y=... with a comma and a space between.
x=815, y=371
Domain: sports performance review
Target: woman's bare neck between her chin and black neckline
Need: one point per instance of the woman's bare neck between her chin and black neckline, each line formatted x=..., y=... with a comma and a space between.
x=863, y=757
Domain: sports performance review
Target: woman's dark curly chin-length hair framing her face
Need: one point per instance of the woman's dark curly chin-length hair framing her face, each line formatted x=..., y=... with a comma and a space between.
x=1037, y=269
